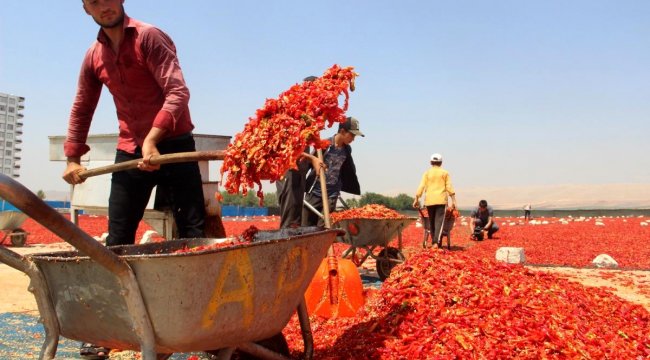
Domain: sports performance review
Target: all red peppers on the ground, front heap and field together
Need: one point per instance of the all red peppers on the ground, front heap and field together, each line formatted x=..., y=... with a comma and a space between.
x=463, y=304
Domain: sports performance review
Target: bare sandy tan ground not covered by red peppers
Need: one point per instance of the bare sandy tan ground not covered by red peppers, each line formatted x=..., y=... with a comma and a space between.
x=17, y=299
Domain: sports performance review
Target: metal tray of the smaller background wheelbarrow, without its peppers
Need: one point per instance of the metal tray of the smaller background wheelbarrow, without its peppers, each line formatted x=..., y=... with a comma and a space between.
x=361, y=232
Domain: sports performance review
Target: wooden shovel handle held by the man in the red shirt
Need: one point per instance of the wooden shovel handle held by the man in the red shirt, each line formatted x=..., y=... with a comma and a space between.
x=155, y=160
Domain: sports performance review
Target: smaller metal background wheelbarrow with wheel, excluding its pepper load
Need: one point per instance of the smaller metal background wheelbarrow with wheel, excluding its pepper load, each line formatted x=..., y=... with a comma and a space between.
x=369, y=234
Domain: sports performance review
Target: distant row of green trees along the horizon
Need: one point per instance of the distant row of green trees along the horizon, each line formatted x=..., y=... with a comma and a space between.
x=399, y=202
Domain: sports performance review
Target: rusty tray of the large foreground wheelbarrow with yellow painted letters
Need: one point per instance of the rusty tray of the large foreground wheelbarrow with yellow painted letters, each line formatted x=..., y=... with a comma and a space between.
x=202, y=300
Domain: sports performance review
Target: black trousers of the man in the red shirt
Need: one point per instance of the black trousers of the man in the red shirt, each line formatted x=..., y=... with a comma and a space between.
x=131, y=189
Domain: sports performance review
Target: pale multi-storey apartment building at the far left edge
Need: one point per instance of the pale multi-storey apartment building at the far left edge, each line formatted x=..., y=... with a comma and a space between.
x=11, y=130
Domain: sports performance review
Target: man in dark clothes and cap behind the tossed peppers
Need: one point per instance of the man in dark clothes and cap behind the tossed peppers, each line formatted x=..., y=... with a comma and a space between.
x=341, y=173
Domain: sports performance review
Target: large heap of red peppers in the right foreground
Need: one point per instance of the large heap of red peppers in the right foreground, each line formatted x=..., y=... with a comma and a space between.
x=450, y=305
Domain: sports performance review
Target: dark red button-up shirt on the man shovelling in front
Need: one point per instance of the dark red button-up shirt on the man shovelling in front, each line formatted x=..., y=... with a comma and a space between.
x=145, y=80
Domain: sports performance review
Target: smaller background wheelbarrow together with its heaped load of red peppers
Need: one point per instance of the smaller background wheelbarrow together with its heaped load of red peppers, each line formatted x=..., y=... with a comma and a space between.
x=368, y=229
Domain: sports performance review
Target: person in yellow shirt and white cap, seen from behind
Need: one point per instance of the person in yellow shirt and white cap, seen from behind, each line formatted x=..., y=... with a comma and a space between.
x=436, y=185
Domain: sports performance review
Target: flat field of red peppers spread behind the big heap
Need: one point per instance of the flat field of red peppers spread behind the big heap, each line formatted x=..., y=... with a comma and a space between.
x=560, y=242
